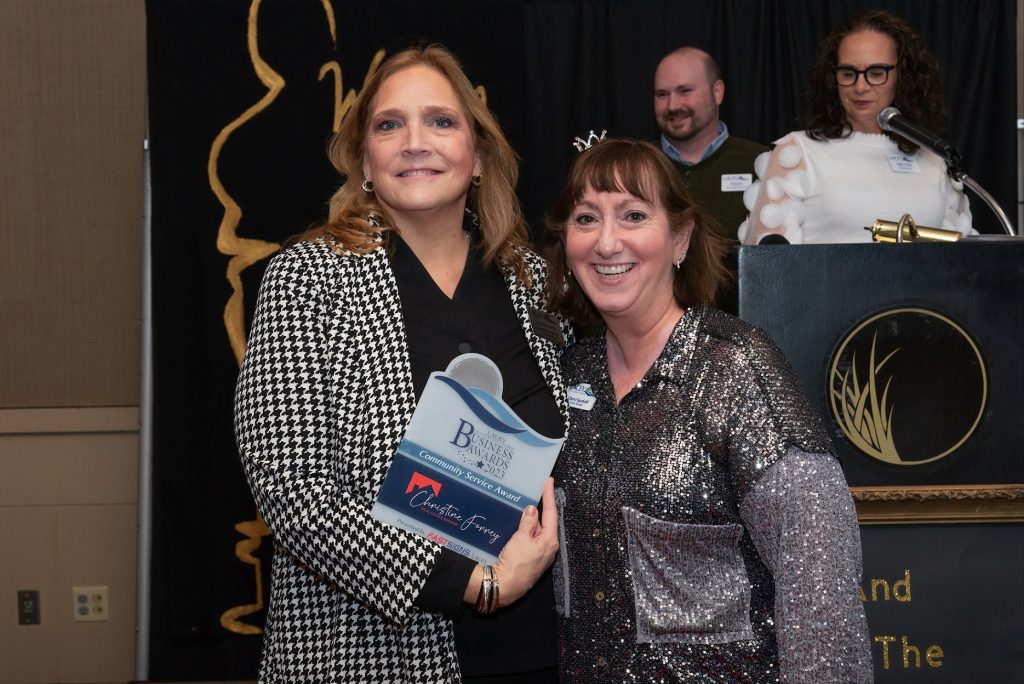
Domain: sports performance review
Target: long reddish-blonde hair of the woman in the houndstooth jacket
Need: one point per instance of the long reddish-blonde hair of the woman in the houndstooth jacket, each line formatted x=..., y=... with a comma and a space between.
x=504, y=231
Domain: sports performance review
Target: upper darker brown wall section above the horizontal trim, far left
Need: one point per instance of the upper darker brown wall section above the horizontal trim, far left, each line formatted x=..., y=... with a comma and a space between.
x=72, y=126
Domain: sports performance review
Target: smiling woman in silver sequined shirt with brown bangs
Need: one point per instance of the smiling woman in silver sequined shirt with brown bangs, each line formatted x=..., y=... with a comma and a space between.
x=709, y=534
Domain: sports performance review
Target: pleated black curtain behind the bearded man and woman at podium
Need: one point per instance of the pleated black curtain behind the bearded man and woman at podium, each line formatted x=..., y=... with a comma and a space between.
x=591, y=65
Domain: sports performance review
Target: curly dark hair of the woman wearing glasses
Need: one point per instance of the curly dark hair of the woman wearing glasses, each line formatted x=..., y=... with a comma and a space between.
x=919, y=85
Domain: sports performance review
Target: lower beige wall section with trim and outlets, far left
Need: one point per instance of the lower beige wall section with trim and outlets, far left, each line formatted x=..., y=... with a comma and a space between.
x=68, y=507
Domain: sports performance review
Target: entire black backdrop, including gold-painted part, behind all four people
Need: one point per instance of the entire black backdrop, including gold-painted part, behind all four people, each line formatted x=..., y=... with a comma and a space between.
x=222, y=138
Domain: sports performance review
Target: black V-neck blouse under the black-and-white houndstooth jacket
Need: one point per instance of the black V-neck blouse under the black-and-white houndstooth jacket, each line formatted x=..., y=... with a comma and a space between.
x=481, y=319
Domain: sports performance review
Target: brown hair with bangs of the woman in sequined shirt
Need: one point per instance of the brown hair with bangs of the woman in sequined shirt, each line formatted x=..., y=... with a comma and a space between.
x=643, y=170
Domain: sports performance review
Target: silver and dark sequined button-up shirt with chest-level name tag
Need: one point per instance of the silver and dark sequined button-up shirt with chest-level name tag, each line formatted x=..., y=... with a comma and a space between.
x=707, y=533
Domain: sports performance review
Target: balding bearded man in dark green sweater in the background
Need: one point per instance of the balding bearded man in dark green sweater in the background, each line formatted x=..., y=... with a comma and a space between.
x=716, y=166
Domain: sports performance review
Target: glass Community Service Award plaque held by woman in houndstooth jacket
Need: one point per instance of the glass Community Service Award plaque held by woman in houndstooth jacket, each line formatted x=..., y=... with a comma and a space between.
x=467, y=466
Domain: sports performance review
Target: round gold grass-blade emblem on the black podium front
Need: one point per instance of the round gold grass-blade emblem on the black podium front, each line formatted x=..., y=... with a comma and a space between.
x=908, y=387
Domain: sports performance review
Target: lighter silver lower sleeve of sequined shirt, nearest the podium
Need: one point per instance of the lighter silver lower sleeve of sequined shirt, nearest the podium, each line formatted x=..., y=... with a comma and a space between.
x=801, y=519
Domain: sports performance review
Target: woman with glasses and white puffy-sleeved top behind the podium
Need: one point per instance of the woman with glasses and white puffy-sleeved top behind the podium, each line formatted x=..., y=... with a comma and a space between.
x=827, y=184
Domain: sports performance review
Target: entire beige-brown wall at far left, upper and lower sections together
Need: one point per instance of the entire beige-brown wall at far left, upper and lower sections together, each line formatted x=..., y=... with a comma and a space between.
x=72, y=125
